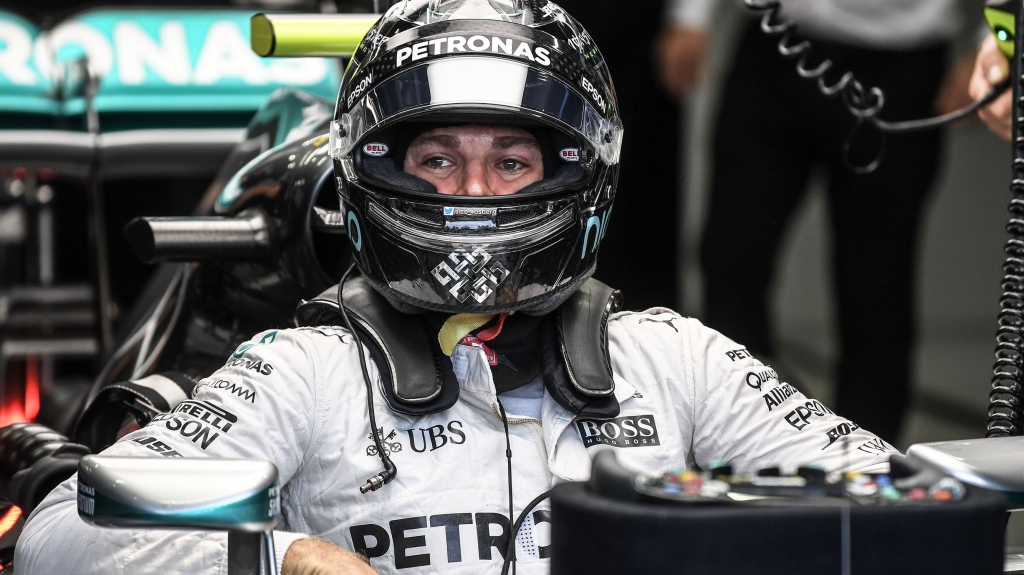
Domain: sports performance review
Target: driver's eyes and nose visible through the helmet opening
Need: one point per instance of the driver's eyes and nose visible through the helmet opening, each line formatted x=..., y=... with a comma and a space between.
x=476, y=160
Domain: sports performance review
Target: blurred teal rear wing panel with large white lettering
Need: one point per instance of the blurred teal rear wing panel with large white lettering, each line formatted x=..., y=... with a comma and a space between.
x=157, y=68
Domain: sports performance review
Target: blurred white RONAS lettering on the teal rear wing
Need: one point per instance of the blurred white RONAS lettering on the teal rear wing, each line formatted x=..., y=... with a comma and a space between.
x=188, y=52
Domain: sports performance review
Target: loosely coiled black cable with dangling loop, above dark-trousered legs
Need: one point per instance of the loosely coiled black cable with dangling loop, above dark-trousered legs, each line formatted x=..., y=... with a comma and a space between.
x=864, y=105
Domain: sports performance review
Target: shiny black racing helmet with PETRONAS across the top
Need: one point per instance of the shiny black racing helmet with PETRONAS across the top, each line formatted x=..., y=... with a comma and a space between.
x=520, y=63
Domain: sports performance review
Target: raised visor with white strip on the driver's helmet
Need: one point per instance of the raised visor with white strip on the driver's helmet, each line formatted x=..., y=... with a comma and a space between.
x=477, y=82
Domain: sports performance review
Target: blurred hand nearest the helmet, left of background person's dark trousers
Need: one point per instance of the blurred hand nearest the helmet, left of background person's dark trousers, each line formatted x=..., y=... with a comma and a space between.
x=680, y=55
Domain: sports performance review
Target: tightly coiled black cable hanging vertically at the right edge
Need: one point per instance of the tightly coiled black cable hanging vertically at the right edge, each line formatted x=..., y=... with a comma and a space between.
x=1005, y=406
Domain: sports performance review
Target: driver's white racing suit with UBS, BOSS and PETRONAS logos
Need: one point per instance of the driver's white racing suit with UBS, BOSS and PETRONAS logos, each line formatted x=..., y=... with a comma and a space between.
x=689, y=396
